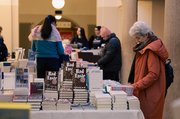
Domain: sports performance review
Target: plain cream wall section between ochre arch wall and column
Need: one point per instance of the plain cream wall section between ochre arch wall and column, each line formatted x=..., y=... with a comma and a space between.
x=109, y=14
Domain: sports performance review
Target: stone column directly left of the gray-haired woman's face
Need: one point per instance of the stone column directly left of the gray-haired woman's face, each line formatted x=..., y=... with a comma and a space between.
x=129, y=16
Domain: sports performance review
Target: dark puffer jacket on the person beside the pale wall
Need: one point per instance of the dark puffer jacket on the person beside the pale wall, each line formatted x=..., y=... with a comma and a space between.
x=111, y=55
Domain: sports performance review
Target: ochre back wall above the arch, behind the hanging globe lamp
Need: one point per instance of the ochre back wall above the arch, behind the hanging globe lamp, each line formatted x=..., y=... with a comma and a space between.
x=82, y=12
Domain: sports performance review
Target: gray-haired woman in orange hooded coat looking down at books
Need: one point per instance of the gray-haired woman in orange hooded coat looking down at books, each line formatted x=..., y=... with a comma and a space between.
x=147, y=74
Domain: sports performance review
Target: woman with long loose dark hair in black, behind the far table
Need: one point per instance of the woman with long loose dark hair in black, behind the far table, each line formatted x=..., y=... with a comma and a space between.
x=80, y=40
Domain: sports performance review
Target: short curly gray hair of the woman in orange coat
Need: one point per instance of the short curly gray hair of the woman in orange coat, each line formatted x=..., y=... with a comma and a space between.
x=140, y=28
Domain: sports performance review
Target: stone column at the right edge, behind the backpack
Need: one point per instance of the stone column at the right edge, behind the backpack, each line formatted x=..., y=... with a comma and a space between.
x=172, y=42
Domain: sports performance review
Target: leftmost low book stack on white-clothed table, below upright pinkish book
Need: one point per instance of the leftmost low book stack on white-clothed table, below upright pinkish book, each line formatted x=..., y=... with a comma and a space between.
x=35, y=101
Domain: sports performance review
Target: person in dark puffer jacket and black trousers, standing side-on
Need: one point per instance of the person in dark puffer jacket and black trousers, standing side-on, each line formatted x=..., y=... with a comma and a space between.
x=110, y=60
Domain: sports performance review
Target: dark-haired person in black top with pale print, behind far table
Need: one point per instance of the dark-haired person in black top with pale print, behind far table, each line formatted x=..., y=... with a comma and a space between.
x=95, y=40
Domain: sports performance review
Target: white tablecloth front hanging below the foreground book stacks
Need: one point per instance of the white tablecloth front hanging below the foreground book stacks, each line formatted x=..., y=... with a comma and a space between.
x=87, y=114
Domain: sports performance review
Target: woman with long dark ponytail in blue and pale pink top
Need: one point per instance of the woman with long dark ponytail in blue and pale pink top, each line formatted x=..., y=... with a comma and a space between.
x=47, y=44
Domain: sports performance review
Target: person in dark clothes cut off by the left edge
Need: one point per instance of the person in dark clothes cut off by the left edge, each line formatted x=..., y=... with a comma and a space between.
x=3, y=48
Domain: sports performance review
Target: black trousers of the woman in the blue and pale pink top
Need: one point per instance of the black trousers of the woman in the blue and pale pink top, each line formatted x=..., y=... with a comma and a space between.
x=47, y=64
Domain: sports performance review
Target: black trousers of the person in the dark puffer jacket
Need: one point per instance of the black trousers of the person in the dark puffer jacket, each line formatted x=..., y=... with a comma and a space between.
x=111, y=75
